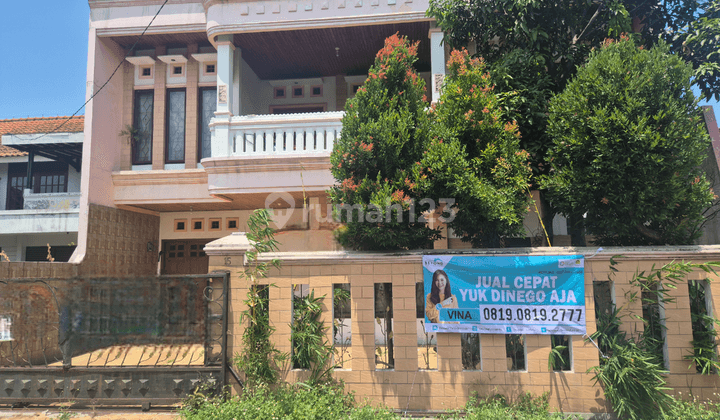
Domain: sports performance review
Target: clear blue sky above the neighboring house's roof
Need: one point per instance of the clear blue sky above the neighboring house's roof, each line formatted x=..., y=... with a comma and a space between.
x=43, y=51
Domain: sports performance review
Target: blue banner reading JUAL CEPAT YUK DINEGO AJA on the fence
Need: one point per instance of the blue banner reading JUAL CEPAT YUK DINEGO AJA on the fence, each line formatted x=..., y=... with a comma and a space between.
x=505, y=295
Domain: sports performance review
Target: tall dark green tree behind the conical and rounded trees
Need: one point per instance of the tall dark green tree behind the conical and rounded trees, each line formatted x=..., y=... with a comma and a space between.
x=534, y=47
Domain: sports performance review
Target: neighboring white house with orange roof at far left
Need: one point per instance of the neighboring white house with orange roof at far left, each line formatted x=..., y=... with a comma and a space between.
x=45, y=211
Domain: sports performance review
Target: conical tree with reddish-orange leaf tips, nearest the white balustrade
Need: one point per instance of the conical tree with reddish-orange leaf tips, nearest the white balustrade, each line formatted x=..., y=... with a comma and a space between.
x=384, y=131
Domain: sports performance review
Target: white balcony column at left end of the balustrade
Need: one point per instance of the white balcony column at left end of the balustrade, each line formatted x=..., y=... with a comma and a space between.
x=220, y=144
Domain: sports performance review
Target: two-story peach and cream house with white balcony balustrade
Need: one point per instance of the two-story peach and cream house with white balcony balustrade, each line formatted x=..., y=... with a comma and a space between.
x=234, y=106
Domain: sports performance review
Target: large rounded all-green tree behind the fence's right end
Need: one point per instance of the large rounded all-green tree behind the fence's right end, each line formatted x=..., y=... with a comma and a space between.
x=628, y=141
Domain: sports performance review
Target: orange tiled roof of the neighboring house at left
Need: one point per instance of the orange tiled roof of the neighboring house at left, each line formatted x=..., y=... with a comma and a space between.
x=37, y=126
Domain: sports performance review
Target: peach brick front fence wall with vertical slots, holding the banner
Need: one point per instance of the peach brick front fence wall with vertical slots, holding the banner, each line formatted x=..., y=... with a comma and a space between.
x=449, y=386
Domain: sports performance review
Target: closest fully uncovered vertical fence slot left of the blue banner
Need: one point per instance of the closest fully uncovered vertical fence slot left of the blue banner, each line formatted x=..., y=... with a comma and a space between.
x=384, y=349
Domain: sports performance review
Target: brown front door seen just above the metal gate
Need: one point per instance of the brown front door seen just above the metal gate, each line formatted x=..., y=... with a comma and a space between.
x=185, y=257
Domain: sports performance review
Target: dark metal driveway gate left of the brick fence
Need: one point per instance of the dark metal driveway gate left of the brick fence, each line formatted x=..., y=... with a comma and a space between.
x=112, y=341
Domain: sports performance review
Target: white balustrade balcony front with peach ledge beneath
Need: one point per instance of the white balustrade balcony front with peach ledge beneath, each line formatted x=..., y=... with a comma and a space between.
x=256, y=155
